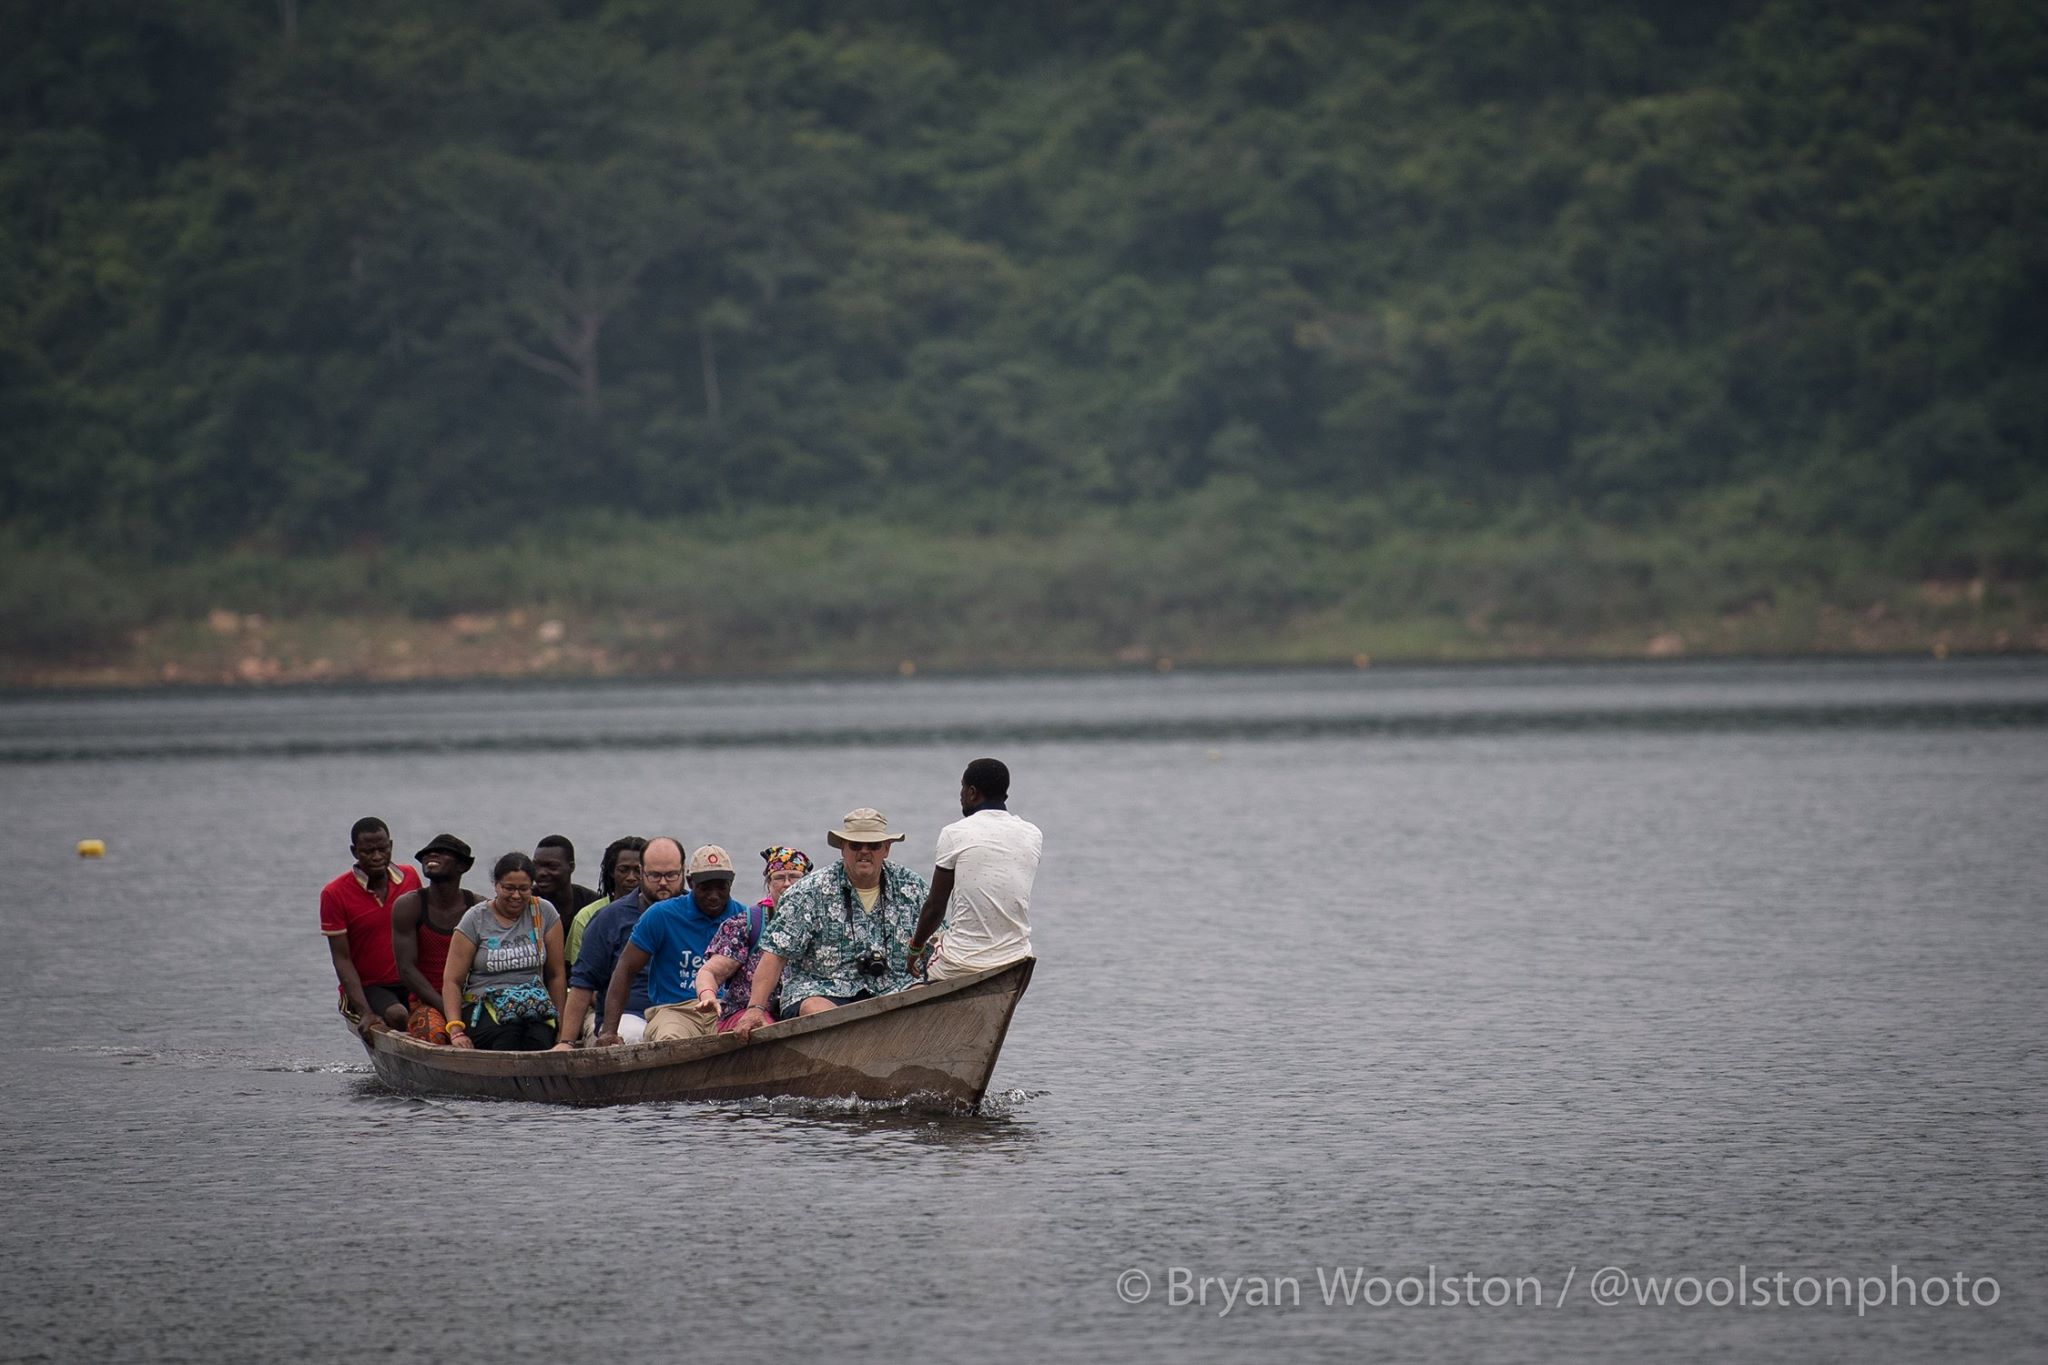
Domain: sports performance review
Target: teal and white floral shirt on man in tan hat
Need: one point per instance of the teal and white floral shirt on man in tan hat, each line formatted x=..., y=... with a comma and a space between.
x=820, y=932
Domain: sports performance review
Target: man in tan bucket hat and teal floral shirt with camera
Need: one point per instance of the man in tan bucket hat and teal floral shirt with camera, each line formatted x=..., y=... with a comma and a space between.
x=841, y=934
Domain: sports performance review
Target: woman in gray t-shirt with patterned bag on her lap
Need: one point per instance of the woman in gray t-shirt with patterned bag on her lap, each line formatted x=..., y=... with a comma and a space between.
x=505, y=967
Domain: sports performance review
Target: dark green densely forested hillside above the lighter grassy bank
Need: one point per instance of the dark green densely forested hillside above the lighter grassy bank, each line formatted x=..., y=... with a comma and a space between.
x=318, y=277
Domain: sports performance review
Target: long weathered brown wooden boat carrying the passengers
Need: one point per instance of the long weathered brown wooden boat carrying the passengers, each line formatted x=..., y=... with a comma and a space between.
x=931, y=1045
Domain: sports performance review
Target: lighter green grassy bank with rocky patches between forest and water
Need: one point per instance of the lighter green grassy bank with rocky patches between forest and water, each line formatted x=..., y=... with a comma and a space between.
x=1232, y=576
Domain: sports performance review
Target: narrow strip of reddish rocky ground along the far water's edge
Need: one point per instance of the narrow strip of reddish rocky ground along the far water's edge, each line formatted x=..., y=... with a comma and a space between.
x=255, y=652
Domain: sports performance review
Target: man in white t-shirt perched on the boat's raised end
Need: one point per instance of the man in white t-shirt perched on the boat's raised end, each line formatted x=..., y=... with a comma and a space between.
x=982, y=885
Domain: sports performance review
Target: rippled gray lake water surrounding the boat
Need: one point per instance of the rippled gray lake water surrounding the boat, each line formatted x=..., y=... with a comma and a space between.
x=1693, y=971
